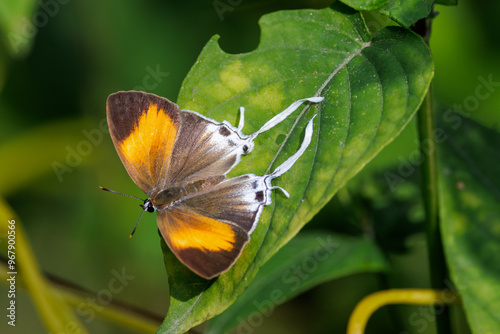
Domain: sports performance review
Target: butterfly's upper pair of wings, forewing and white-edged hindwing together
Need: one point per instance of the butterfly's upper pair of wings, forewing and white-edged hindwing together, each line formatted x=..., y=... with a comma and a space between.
x=161, y=146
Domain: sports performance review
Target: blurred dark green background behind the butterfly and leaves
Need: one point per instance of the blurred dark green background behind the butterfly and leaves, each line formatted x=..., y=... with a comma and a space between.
x=59, y=60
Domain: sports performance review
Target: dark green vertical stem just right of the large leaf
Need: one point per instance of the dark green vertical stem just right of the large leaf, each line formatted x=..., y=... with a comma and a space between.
x=437, y=263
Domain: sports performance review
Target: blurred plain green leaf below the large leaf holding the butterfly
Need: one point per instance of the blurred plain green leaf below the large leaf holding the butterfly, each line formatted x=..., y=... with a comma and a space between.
x=306, y=261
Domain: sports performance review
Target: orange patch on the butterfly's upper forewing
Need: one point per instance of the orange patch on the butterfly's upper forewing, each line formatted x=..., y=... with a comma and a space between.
x=149, y=146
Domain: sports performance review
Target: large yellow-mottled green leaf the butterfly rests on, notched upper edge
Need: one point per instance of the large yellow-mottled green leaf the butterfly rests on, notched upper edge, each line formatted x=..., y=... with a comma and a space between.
x=372, y=88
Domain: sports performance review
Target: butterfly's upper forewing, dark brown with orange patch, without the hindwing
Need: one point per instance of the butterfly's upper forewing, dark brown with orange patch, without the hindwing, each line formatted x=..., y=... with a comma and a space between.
x=143, y=128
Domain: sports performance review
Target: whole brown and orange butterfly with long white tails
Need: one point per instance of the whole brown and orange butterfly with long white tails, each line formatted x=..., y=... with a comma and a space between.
x=180, y=159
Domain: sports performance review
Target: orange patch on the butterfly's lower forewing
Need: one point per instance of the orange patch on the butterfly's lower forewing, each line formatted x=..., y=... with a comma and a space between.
x=190, y=230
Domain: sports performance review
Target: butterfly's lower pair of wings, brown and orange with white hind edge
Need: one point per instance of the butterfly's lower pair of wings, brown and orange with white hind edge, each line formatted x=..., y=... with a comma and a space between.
x=208, y=230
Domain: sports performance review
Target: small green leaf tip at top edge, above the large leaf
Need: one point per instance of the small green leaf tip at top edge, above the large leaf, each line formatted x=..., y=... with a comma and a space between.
x=407, y=12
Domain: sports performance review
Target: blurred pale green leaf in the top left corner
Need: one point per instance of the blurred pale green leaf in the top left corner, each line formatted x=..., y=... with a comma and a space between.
x=19, y=25
